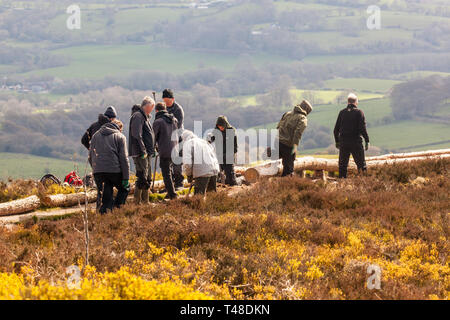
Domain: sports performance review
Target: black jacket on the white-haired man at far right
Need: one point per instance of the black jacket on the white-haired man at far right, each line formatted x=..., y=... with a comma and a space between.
x=351, y=126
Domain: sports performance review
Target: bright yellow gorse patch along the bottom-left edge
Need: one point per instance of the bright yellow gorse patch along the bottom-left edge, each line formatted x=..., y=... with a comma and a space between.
x=111, y=286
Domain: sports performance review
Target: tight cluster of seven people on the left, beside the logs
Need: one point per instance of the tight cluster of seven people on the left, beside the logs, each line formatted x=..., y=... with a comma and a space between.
x=177, y=149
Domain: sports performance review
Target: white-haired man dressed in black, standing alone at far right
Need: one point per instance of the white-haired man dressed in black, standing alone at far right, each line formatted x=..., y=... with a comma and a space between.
x=348, y=133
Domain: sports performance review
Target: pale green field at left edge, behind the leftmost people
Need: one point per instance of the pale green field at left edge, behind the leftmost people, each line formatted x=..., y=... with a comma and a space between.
x=13, y=165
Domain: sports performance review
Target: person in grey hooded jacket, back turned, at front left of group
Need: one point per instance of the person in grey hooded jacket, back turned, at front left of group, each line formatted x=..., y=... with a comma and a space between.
x=108, y=157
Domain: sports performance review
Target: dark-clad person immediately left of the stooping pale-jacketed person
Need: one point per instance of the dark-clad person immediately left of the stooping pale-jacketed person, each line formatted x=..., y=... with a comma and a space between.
x=166, y=137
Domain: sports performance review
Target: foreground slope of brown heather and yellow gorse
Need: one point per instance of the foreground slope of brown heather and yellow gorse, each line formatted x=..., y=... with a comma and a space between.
x=282, y=238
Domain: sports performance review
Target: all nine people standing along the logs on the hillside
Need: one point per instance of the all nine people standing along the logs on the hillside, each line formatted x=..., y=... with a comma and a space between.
x=179, y=150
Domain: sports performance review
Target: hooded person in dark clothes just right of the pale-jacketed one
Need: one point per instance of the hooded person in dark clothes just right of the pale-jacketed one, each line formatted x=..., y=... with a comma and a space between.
x=225, y=139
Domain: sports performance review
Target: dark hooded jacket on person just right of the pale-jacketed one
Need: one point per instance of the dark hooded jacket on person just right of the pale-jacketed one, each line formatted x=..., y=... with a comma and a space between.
x=225, y=141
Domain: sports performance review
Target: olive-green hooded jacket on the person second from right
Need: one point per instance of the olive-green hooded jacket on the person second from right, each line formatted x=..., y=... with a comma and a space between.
x=291, y=126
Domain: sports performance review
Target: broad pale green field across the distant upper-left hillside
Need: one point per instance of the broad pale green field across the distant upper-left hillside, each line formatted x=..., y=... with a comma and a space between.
x=96, y=62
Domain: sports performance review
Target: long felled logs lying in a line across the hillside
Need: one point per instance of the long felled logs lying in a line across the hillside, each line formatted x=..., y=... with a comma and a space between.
x=251, y=175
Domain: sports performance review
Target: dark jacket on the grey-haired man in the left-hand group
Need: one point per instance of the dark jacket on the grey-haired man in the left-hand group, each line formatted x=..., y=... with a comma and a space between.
x=142, y=137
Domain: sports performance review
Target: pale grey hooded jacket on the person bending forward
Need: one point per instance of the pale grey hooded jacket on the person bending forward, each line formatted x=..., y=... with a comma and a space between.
x=199, y=158
